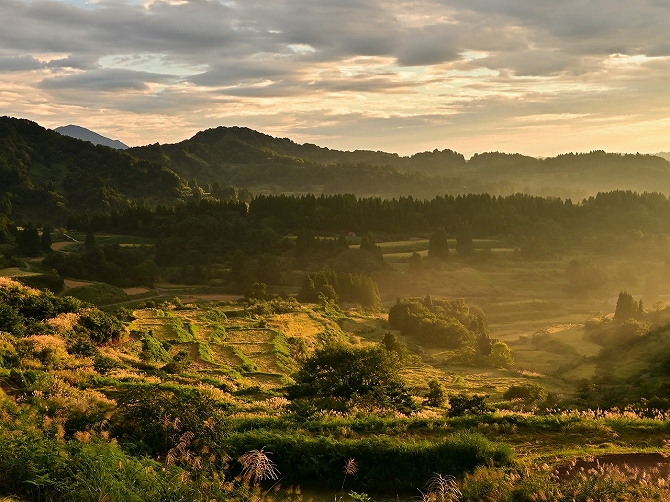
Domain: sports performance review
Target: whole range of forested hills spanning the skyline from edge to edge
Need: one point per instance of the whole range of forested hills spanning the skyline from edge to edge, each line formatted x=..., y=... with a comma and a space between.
x=44, y=176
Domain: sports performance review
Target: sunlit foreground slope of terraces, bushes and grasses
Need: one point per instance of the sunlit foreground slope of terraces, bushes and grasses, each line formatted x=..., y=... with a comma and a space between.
x=203, y=401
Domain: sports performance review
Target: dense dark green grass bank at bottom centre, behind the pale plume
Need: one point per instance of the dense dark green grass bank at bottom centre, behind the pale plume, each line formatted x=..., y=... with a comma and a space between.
x=384, y=463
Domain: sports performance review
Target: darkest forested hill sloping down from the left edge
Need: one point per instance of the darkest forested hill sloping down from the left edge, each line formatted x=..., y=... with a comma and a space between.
x=44, y=174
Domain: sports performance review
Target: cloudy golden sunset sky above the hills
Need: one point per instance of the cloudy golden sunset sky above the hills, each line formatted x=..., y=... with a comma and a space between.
x=538, y=77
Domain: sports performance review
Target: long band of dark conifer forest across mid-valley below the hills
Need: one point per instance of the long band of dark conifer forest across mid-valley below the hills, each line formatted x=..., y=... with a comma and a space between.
x=206, y=231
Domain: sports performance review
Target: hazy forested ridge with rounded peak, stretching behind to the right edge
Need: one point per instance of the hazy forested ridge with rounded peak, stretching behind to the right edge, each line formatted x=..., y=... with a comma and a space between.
x=246, y=158
